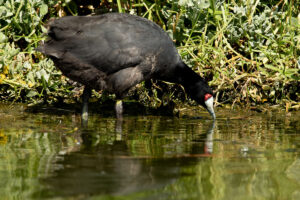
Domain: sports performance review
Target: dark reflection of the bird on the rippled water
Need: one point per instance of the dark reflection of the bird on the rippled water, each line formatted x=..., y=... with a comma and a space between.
x=110, y=168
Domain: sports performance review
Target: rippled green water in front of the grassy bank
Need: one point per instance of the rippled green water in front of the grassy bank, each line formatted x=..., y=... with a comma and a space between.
x=243, y=155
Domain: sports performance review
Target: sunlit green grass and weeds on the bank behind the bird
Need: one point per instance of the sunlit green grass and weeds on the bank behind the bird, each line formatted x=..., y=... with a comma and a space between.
x=248, y=51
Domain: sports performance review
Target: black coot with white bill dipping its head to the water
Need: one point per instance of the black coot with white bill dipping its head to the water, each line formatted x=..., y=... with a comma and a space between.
x=114, y=52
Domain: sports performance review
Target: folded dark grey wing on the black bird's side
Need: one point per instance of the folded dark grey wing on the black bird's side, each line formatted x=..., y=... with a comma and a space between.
x=108, y=45
